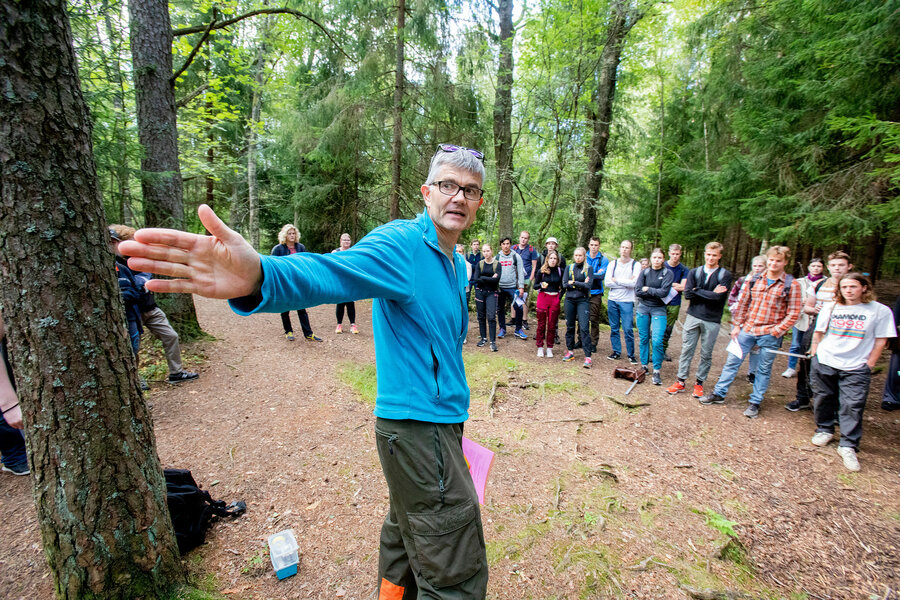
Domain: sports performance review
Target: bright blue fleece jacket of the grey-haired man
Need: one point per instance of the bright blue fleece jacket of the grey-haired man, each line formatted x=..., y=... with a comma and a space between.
x=419, y=316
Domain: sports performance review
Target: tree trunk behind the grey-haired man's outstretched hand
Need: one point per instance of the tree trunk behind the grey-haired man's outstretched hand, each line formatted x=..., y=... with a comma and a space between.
x=151, y=56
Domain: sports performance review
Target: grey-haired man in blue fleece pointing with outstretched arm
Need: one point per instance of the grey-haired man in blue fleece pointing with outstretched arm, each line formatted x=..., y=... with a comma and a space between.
x=432, y=543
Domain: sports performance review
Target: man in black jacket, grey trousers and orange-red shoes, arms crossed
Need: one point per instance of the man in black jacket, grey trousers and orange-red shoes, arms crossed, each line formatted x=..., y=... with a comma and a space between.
x=707, y=289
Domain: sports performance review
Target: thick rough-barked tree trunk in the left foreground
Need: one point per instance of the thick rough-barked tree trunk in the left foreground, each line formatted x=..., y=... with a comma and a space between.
x=97, y=482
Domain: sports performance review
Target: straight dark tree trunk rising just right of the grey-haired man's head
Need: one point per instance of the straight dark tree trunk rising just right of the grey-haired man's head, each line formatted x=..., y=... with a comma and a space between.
x=503, y=151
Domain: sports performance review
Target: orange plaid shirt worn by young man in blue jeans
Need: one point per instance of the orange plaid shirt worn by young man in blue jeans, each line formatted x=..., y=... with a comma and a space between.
x=767, y=311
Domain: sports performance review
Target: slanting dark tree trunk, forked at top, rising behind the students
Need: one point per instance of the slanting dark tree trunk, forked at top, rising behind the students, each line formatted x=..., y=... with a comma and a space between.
x=620, y=23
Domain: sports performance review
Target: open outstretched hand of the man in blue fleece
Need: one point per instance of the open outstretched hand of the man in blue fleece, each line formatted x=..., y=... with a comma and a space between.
x=221, y=265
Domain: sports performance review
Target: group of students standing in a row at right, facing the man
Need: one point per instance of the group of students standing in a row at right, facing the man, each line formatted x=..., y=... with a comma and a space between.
x=838, y=329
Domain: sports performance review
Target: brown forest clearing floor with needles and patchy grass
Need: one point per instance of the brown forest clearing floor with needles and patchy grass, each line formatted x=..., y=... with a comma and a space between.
x=586, y=498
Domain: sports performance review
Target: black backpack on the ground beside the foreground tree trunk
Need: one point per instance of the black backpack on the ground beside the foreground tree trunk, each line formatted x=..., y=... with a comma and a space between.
x=192, y=509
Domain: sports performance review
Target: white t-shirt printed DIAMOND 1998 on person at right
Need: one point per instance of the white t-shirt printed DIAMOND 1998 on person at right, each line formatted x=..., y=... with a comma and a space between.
x=850, y=333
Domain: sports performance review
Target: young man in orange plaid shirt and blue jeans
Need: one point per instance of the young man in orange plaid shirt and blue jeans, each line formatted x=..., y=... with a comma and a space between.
x=767, y=308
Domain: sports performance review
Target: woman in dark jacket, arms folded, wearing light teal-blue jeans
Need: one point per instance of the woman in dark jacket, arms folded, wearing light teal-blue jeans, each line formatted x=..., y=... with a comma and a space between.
x=652, y=290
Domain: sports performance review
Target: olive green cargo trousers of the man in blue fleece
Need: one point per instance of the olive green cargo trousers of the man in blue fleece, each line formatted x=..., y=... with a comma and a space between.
x=432, y=543
